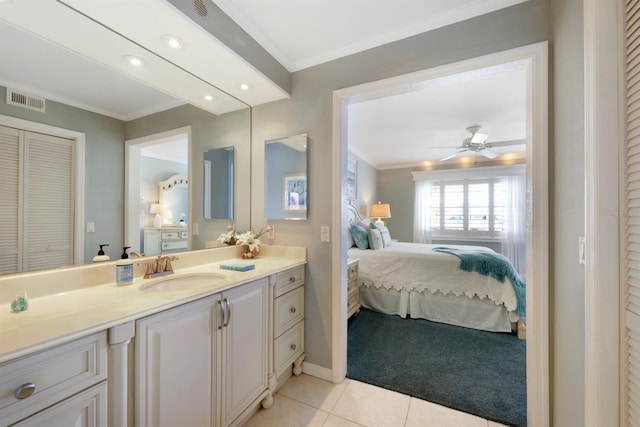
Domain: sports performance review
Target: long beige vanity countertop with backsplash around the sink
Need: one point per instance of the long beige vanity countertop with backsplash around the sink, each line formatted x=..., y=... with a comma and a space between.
x=69, y=303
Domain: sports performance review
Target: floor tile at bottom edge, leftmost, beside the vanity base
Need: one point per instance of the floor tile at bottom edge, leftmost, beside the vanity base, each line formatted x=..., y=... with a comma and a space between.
x=286, y=412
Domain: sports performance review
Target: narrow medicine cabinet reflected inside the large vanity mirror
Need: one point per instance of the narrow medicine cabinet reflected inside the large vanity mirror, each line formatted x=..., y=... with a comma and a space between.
x=219, y=169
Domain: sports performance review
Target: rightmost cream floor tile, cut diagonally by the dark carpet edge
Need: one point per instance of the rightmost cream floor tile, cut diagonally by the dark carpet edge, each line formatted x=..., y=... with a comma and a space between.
x=423, y=413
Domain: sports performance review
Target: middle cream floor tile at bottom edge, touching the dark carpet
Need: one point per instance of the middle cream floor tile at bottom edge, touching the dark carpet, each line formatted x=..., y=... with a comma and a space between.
x=372, y=406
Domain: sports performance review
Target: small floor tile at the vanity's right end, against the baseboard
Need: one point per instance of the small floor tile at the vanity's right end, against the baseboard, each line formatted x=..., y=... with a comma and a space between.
x=313, y=391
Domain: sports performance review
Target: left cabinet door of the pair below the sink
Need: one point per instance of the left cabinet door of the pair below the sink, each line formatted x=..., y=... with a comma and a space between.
x=175, y=366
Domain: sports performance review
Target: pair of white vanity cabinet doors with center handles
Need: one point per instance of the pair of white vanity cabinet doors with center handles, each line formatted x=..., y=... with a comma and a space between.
x=205, y=362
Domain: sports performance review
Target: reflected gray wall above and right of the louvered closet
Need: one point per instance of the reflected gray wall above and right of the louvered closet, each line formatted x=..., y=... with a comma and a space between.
x=104, y=170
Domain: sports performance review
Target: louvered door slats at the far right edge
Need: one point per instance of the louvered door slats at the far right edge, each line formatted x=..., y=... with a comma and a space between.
x=631, y=293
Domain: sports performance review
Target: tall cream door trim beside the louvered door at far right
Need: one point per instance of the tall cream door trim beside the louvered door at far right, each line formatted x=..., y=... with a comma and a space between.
x=604, y=108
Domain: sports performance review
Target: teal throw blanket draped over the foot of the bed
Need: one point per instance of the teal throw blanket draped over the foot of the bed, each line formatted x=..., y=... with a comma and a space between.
x=491, y=264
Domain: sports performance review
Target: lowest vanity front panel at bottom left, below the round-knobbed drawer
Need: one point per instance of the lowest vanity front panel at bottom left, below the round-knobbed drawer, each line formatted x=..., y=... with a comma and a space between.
x=86, y=409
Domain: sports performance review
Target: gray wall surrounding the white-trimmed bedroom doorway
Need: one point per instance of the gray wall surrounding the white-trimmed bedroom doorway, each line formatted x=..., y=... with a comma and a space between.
x=310, y=110
